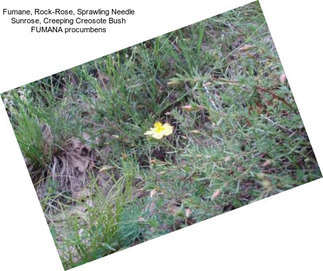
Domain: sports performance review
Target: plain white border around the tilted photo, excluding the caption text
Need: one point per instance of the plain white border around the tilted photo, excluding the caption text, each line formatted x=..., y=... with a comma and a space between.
x=283, y=232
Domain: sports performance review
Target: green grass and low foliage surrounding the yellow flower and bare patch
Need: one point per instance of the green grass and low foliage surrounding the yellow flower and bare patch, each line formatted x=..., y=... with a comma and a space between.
x=238, y=136
